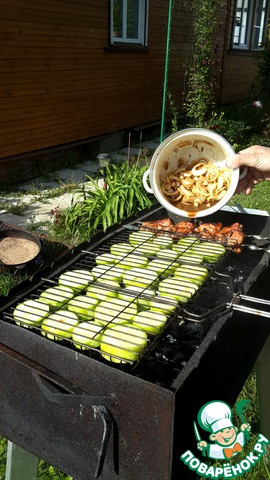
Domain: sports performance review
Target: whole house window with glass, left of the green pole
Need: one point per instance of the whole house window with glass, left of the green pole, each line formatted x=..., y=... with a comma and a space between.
x=129, y=21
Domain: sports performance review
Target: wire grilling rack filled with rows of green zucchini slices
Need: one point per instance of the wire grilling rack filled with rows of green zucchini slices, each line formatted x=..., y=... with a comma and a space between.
x=110, y=299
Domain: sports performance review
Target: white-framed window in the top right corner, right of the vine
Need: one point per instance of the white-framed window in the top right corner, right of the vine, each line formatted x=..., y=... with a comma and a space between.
x=250, y=24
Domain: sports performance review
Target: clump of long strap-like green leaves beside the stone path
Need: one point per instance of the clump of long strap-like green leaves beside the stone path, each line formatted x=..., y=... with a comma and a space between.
x=100, y=206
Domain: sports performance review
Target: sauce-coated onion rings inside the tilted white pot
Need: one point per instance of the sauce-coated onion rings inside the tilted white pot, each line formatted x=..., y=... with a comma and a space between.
x=197, y=184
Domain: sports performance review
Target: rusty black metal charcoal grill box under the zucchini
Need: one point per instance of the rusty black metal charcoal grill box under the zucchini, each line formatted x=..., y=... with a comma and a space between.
x=96, y=419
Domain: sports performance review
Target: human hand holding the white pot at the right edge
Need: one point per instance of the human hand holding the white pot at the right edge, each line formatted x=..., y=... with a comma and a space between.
x=257, y=159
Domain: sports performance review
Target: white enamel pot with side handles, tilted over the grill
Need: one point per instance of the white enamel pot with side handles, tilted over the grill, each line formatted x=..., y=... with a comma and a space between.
x=190, y=144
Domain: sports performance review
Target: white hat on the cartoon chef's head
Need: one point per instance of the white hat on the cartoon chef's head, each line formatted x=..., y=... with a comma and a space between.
x=215, y=416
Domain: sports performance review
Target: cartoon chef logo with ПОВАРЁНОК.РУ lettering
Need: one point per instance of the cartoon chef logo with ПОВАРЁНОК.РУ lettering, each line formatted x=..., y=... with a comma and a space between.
x=224, y=442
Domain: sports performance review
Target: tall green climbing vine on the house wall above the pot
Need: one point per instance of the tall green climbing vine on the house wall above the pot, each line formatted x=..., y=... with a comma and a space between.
x=199, y=74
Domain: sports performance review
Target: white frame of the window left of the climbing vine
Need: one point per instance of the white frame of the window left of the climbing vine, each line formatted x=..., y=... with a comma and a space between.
x=142, y=24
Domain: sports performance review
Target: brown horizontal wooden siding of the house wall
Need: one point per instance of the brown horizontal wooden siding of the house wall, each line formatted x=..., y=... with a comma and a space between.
x=60, y=84
